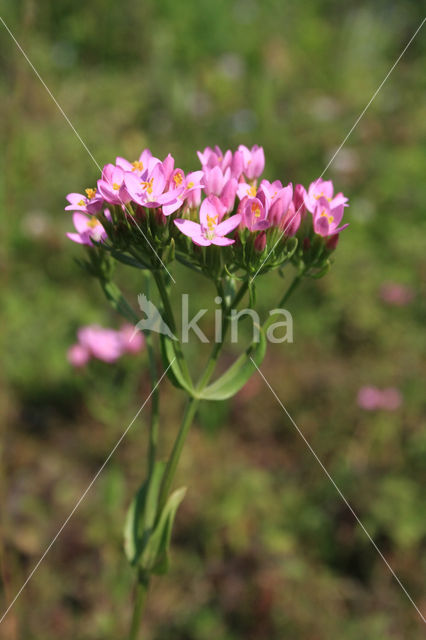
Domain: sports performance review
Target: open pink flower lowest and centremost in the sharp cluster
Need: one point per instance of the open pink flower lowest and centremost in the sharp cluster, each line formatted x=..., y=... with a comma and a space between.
x=210, y=231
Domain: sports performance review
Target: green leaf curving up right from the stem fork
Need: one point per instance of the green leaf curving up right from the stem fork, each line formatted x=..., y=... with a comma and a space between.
x=238, y=374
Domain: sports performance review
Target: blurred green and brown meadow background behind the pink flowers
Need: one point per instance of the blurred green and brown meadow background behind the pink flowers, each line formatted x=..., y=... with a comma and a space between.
x=264, y=547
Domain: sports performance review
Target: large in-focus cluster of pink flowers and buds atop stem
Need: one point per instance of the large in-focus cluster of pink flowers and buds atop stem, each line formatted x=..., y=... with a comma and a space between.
x=145, y=210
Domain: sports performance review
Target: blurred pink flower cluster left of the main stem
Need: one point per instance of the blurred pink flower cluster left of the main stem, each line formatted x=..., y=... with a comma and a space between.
x=107, y=345
